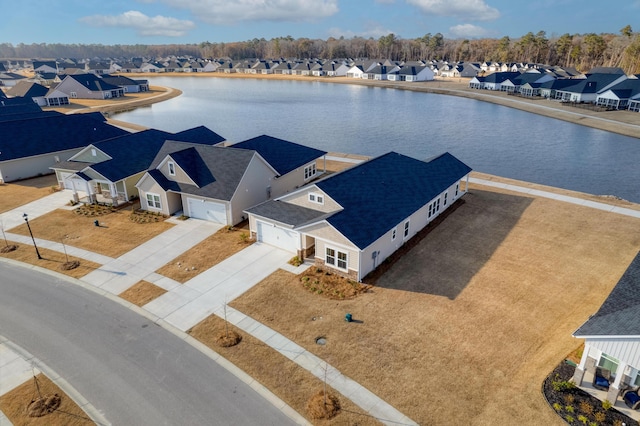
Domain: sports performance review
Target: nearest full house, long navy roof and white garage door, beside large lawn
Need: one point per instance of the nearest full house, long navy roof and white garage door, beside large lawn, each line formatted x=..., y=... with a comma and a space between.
x=353, y=220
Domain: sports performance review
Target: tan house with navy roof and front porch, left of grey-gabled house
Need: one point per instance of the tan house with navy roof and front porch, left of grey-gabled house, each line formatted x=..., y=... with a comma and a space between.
x=108, y=171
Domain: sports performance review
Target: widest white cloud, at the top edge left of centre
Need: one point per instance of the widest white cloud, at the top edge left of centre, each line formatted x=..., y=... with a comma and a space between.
x=231, y=12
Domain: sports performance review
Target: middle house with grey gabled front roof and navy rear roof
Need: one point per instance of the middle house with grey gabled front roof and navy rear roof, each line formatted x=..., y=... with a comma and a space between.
x=218, y=183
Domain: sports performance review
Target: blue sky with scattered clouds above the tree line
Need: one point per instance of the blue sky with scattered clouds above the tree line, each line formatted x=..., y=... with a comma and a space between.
x=194, y=21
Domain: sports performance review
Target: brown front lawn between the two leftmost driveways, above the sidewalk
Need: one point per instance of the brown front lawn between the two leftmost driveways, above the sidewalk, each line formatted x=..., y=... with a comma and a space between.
x=116, y=235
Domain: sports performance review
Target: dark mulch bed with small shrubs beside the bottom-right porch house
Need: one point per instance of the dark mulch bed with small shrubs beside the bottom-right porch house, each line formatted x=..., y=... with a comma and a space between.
x=574, y=405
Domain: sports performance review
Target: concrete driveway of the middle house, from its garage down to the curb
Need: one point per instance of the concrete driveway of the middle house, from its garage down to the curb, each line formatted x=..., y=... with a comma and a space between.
x=117, y=275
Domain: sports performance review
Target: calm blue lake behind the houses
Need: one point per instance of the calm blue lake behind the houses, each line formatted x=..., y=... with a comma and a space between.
x=371, y=121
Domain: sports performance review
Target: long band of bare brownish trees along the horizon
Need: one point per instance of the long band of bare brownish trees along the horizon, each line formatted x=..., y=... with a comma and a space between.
x=581, y=51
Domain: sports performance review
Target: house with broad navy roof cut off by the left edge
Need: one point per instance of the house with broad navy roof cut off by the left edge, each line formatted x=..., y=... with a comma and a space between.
x=32, y=142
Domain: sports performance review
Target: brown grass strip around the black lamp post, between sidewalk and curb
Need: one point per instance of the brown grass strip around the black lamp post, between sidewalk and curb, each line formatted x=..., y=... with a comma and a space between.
x=51, y=260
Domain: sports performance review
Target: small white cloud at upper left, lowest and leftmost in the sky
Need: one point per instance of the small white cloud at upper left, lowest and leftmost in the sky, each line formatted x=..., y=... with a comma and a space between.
x=143, y=24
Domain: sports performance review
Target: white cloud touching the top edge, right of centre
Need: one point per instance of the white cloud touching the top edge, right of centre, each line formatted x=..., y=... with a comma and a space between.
x=474, y=10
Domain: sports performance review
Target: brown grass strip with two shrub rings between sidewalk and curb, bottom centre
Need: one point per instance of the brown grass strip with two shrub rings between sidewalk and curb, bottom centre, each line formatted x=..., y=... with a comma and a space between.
x=290, y=382
